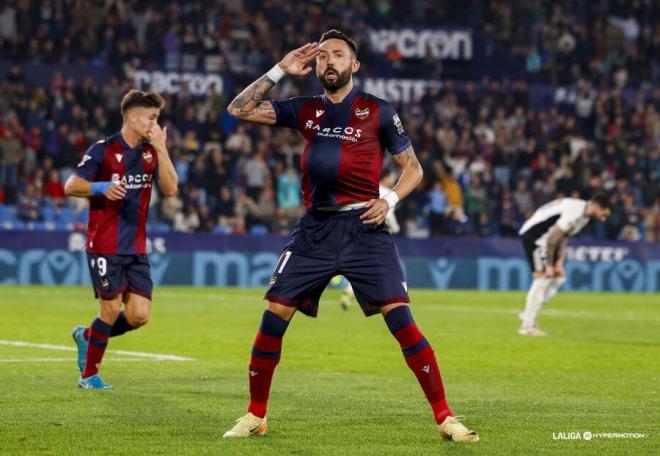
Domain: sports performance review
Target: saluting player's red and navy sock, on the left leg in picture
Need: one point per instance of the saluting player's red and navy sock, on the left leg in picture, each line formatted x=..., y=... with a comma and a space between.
x=265, y=356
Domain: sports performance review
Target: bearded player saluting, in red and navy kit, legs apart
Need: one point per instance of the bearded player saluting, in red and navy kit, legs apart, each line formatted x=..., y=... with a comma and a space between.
x=346, y=132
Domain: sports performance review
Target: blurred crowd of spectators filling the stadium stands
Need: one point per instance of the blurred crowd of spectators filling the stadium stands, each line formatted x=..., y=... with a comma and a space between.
x=490, y=157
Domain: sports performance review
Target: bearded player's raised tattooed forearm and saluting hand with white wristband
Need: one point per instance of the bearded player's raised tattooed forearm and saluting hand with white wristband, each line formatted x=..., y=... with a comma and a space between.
x=249, y=104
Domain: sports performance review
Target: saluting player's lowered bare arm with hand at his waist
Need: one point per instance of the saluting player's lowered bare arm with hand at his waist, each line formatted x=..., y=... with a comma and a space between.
x=411, y=176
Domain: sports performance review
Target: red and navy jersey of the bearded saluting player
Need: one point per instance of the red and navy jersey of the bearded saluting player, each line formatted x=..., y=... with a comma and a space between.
x=344, y=145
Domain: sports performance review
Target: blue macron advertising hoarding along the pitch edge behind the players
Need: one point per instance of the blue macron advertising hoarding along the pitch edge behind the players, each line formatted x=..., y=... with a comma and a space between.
x=51, y=258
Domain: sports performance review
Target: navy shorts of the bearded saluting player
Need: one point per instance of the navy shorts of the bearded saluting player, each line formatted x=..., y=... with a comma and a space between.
x=326, y=244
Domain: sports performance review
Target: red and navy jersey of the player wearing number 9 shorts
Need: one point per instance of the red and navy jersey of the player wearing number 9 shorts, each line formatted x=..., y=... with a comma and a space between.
x=119, y=227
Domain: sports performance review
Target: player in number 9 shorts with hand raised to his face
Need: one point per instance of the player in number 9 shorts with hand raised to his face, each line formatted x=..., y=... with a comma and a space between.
x=117, y=174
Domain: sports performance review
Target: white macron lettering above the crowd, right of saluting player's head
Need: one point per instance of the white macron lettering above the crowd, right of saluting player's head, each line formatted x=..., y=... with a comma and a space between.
x=447, y=44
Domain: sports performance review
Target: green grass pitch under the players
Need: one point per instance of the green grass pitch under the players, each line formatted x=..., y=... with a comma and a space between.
x=342, y=386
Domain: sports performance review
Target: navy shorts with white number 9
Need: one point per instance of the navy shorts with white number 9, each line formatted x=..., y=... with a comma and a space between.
x=112, y=275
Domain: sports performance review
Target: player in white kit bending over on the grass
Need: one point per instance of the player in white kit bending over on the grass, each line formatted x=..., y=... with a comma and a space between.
x=544, y=236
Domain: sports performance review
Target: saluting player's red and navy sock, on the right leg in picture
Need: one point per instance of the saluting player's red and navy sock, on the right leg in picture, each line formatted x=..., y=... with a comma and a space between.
x=420, y=359
